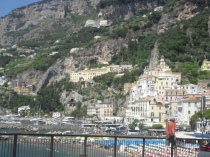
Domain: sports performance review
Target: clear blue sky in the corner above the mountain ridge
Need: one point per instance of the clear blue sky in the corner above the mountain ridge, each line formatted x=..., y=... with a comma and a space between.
x=7, y=6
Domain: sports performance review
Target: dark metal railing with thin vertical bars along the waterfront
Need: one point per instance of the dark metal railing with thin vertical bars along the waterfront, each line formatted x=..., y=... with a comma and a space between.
x=75, y=145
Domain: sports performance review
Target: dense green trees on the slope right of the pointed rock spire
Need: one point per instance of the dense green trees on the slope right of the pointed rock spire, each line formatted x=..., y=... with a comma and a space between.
x=187, y=44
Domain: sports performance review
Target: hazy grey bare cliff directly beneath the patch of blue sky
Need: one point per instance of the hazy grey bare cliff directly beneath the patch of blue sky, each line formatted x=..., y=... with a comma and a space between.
x=36, y=13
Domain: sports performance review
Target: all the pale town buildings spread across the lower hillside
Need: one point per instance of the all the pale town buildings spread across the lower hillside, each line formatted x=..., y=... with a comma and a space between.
x=158, y=94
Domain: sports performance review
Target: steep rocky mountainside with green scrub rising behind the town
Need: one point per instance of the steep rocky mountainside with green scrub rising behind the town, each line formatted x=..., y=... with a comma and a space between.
x=40, y=39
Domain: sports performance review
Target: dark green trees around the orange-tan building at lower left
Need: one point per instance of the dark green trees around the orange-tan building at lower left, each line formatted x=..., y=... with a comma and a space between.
x=47, y=99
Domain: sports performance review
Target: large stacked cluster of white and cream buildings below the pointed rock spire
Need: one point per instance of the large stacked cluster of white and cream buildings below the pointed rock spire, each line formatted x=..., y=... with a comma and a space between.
x=159, y=94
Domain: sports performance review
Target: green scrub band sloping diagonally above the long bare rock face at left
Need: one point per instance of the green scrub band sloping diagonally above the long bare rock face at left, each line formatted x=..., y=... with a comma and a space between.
x=42, y=61
